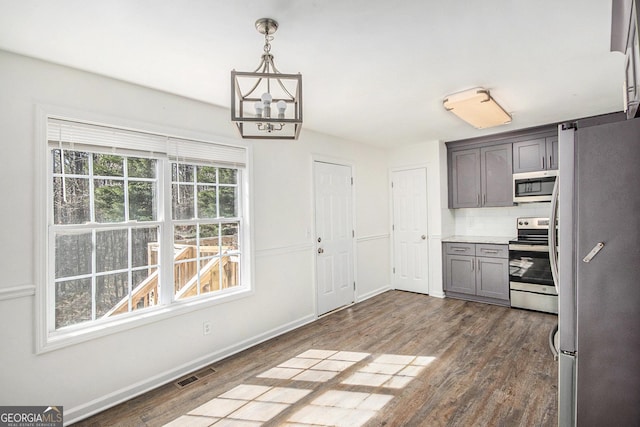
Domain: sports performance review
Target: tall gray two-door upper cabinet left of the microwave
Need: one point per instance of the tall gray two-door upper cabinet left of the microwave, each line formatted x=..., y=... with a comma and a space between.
x=481, y=177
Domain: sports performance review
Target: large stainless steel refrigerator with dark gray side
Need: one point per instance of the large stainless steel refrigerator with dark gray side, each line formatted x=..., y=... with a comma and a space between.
x=599, y=272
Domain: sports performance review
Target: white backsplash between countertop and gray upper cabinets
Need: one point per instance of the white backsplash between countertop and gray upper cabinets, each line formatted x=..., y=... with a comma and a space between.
x=495, y=221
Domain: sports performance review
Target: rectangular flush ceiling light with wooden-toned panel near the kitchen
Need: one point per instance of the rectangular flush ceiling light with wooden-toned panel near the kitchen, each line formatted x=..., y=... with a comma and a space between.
x=477, y=107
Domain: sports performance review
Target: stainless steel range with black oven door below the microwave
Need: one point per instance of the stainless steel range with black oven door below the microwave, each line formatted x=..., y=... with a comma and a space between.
x=530, y=278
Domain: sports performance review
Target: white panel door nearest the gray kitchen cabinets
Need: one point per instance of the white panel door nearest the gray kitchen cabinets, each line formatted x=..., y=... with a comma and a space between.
x=410, y=260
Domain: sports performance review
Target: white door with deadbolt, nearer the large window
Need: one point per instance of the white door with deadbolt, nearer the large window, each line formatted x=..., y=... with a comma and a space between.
x=334, y=236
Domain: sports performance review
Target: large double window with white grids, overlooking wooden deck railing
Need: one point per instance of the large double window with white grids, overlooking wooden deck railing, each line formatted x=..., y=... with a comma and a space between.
x=136, y=221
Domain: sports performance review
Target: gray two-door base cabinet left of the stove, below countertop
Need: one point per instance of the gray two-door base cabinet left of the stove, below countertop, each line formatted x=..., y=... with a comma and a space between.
x=478, y=272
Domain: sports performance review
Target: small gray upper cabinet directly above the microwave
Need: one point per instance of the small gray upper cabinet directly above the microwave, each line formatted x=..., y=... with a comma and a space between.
x=535, y=154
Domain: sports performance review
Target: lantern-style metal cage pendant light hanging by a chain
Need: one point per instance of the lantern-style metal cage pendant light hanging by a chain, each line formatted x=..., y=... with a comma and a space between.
x=265, y=103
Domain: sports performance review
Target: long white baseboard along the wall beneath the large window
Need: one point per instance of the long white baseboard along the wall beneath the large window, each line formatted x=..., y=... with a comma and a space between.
x=95, y=406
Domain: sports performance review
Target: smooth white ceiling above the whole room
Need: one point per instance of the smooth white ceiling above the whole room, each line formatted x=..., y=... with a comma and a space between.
x=374, y=71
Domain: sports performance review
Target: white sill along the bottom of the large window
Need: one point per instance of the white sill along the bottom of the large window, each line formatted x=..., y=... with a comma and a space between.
x=72, y=336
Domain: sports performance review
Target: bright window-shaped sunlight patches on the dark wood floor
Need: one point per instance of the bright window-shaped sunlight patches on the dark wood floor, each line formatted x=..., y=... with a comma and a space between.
x=253, y=405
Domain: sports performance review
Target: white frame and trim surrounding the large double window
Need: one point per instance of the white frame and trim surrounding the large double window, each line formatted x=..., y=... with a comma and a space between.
x=48, y=338
